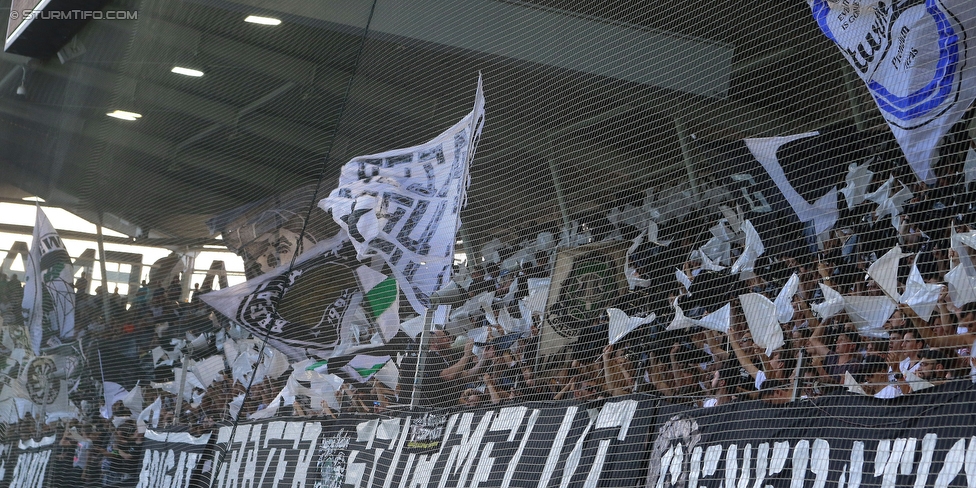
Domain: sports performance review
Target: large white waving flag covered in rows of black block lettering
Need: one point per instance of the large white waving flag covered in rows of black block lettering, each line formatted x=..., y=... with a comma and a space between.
x=405, y=205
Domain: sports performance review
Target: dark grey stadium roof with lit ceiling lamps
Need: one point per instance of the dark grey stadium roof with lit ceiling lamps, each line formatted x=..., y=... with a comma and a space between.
x=606, y=95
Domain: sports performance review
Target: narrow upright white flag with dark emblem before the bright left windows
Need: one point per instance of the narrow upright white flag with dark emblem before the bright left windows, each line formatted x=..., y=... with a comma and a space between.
x=49, y=278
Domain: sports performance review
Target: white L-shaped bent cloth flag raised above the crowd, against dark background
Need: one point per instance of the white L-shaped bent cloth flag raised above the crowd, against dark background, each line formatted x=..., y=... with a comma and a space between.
x=823, y=212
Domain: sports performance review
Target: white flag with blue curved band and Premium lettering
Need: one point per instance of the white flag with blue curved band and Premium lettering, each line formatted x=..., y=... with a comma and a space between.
x=918, y=61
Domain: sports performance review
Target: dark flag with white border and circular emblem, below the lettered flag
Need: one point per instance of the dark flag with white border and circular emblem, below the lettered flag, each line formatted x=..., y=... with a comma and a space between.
x=314, y=308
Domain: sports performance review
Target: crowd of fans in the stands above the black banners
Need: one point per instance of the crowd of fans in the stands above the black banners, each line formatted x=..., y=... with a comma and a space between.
x=456, y=370
